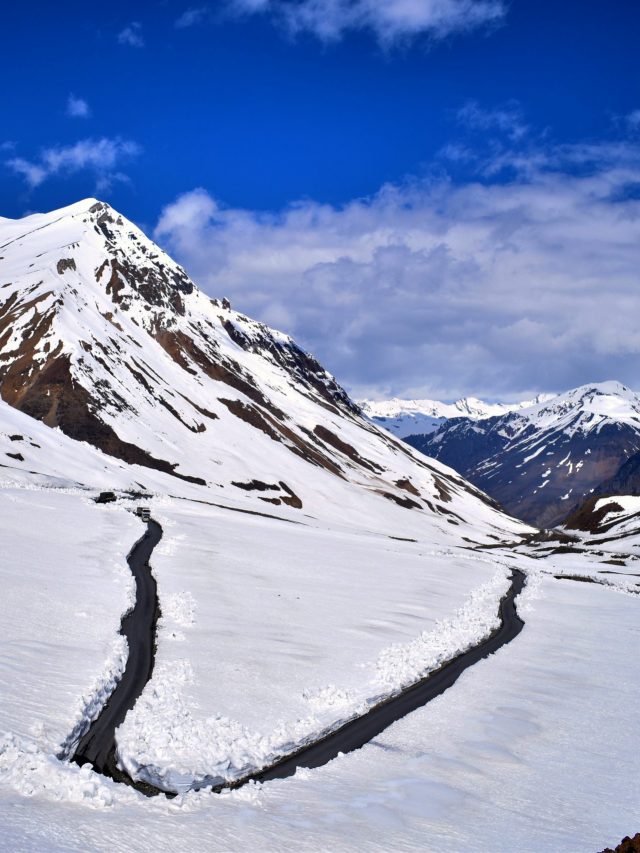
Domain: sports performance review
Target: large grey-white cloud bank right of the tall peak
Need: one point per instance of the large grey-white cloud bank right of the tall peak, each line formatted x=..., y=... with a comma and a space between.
x=493, y=286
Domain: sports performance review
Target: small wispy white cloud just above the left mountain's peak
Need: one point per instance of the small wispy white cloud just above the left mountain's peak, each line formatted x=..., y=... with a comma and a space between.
x=100, y=156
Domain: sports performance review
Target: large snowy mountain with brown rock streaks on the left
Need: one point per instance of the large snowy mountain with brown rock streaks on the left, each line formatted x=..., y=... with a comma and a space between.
x=104, y=337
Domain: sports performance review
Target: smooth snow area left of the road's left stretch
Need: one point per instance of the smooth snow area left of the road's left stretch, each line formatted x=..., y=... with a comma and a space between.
x=65, y=585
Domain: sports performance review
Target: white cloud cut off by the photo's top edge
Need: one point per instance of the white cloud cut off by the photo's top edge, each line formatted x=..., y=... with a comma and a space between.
x=388, y=20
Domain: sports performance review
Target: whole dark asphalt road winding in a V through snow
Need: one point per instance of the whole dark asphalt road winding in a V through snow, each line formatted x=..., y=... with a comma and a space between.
x=97, y=746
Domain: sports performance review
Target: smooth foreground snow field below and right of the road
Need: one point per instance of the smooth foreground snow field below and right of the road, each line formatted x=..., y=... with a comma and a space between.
x=534, y=750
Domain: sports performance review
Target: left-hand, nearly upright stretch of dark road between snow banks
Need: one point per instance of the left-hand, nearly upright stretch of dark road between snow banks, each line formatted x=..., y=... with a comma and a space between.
x=97, y=746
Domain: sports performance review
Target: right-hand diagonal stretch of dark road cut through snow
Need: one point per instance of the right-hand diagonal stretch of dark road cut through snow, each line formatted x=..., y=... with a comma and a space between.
x=360, y=731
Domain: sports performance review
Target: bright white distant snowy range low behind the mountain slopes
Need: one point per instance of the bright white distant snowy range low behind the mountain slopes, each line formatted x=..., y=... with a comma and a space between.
x=413, y=417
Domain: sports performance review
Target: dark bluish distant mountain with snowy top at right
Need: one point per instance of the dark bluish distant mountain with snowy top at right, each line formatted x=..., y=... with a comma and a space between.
x=543, y=461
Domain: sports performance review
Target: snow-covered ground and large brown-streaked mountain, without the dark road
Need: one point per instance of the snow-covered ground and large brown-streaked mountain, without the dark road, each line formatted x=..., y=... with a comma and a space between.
x=310, y=567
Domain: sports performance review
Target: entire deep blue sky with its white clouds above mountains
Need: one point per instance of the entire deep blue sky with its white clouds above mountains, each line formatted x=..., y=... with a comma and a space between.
x=435, y=196
